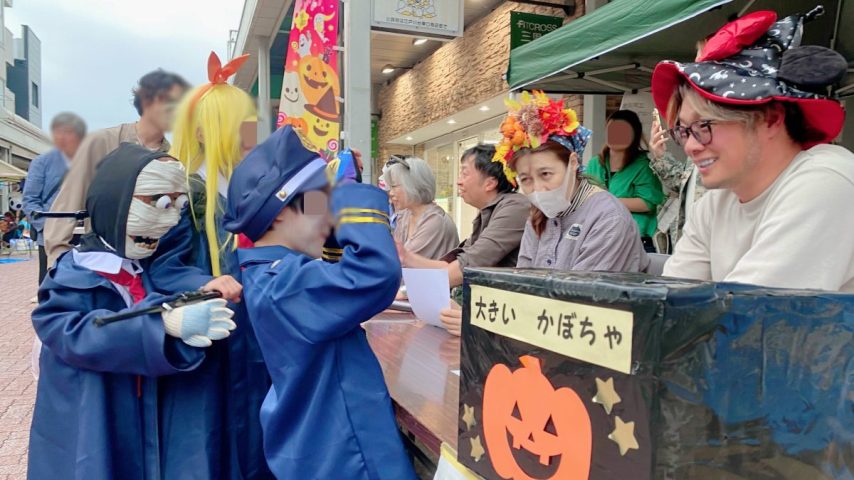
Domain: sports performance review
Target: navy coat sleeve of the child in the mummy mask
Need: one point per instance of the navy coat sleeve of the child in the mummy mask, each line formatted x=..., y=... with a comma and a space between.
x=64, y=321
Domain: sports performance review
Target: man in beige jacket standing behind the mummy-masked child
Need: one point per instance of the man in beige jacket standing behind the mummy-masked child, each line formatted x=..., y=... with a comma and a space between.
x=155, y=98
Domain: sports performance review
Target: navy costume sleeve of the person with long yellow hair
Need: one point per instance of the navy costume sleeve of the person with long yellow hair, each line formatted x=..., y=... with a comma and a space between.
x=172, y=269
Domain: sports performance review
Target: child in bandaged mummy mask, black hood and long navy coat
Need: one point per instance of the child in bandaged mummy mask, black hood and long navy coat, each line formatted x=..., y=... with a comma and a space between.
x=96, y=412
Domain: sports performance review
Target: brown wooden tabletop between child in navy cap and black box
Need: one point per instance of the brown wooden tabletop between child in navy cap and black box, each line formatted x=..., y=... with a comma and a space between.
x=421, y=367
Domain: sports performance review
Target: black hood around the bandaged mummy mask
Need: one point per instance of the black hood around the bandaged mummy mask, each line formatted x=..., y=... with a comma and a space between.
x=110, y=195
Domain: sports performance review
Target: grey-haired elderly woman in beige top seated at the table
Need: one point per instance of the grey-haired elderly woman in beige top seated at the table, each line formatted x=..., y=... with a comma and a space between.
x=422, y=226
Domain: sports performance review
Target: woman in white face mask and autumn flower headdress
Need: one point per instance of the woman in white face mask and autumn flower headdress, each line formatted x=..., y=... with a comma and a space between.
x=574, y=224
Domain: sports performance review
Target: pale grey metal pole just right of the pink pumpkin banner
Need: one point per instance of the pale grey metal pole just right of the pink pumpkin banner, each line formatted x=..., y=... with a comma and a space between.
x=357, y=88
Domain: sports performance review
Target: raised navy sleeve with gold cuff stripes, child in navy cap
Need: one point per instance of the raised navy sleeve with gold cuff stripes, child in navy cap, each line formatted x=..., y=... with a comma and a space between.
x=344, y=294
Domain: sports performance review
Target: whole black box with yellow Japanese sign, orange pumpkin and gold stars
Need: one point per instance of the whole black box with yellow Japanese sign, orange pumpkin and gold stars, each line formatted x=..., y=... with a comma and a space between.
x=609, y=376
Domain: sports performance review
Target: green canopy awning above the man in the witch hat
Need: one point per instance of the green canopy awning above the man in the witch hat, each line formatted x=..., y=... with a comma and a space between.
x=614, y=49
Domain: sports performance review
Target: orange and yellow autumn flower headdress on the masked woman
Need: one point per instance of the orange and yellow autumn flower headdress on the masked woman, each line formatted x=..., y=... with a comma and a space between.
x=533, y=120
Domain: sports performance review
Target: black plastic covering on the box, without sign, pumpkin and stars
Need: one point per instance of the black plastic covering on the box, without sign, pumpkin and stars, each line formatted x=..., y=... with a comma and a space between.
x=728, y=381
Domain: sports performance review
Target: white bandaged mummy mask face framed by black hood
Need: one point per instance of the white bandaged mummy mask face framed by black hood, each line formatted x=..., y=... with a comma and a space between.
x=158, y=199
